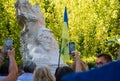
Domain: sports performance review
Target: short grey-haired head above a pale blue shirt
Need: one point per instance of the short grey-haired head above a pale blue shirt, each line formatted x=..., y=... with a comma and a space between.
x=29, y=67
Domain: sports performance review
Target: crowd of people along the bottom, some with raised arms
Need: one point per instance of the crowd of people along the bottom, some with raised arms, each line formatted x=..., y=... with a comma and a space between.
x=78, y=71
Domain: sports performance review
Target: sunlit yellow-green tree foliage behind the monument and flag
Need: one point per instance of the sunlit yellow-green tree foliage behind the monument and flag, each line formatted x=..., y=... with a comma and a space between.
x=92, y=23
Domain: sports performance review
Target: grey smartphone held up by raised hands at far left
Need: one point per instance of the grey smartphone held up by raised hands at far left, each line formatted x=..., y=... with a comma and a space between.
x=8, y=44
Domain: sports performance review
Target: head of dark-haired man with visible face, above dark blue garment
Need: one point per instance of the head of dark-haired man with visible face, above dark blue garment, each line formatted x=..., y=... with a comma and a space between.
x=103, y=59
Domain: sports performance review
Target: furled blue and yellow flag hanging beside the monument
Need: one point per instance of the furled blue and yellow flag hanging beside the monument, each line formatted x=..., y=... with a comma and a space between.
x=64, y=49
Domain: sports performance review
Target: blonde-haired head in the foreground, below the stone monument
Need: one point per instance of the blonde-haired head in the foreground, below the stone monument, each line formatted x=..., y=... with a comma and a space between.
x=43, y=73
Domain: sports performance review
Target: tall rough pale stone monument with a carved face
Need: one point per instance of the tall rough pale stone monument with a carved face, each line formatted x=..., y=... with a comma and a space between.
x=37, y=42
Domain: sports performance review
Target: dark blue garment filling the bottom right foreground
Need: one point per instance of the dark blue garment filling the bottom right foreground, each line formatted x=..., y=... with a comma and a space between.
x=109, y=72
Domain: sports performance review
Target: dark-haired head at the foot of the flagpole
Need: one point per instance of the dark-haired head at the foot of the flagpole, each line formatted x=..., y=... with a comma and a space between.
x=62, y=71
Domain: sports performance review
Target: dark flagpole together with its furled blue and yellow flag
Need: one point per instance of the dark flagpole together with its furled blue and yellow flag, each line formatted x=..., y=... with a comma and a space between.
x=64, y=49
